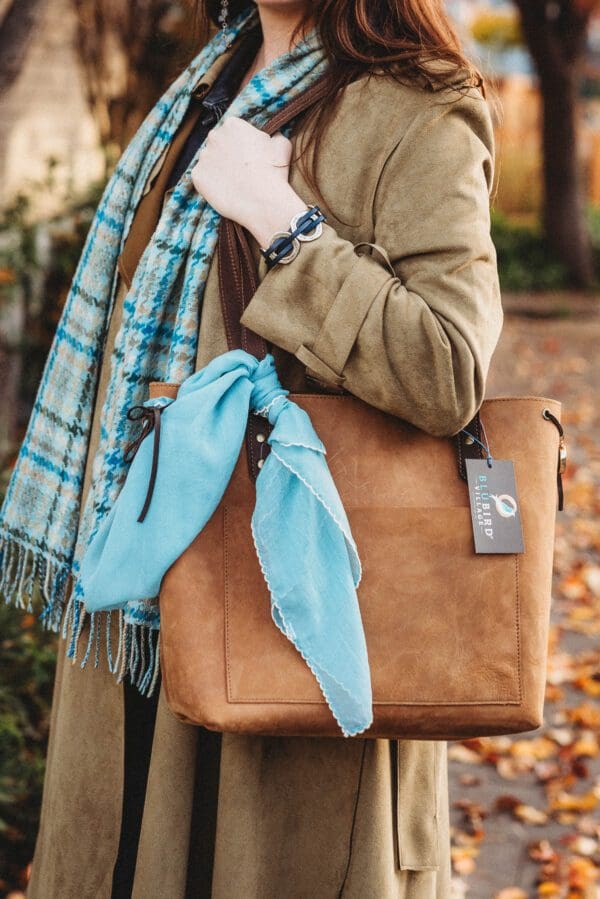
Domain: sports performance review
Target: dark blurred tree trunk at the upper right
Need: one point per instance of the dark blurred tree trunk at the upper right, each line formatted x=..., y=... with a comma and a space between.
x=555, y=32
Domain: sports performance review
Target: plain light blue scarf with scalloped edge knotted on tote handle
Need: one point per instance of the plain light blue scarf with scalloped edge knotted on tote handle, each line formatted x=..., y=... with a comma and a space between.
x=300, y=529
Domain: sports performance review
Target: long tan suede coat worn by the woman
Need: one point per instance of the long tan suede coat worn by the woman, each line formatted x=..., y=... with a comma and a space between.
x=410, y=328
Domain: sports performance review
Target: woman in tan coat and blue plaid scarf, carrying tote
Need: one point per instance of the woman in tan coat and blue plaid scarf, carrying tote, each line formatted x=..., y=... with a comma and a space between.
x=399, y=157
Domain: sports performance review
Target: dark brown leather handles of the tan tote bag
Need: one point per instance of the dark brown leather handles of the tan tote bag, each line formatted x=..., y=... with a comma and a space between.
x=238, y=282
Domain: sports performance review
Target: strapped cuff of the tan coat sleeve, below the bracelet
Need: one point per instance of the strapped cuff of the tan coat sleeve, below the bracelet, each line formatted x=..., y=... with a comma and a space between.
x=340, y=285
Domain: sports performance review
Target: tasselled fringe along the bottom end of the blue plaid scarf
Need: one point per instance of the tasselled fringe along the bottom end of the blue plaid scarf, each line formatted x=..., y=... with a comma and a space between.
x=26, y=575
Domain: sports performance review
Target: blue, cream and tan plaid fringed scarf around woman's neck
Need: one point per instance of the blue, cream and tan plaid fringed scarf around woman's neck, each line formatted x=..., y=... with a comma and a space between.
x=43, y=530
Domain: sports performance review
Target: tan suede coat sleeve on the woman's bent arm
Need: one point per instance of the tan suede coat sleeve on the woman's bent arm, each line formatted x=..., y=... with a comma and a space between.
x=410, y=325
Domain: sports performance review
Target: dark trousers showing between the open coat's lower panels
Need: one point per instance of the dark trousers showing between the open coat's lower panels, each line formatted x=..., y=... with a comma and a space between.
x=140, y=717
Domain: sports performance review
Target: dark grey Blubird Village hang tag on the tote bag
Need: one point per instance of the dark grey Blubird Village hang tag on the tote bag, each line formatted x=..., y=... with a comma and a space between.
x=495, y=513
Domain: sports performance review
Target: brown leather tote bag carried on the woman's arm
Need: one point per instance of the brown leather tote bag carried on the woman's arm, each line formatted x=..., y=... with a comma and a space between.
x=457, y=641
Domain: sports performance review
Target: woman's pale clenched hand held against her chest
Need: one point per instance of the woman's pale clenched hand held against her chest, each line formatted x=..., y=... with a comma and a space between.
x=243, y=173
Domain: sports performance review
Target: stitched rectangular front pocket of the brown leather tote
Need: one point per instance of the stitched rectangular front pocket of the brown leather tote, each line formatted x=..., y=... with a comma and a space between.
x=430, y=635
